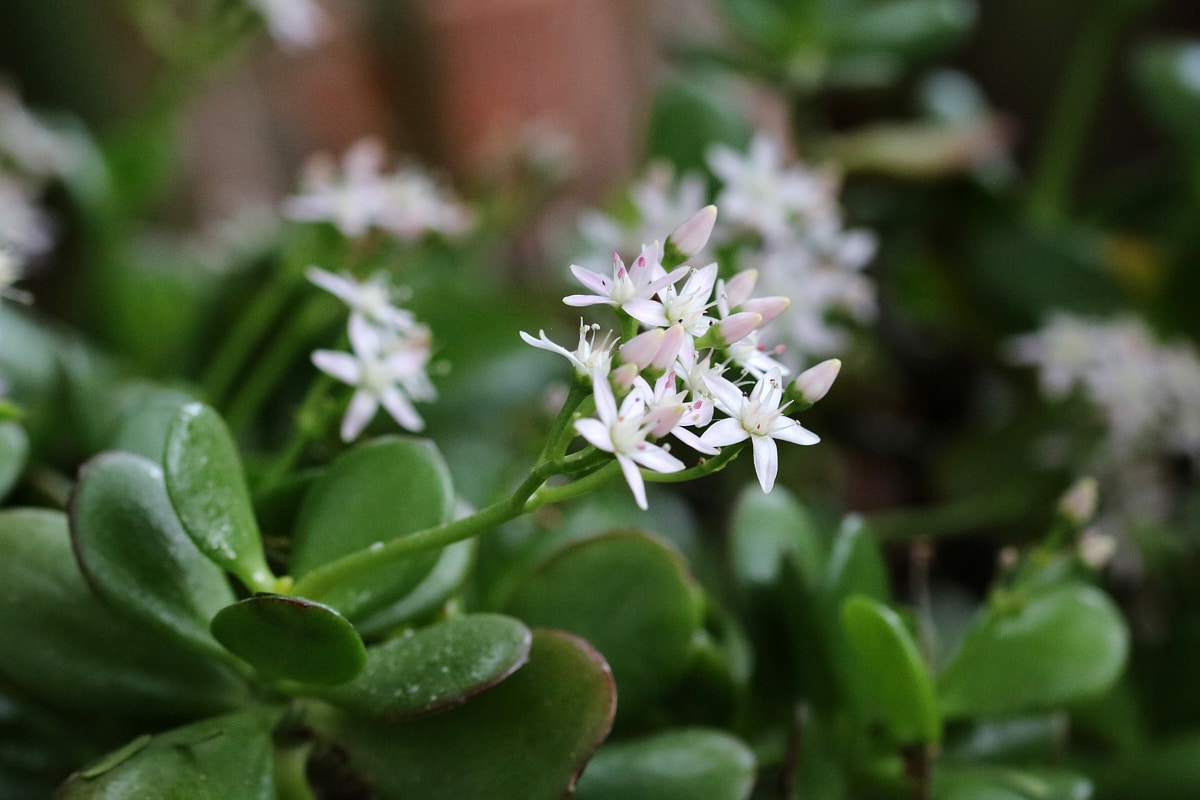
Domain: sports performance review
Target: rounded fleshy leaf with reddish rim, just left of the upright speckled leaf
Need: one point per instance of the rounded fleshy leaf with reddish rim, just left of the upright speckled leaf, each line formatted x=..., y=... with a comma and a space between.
x=137, y=557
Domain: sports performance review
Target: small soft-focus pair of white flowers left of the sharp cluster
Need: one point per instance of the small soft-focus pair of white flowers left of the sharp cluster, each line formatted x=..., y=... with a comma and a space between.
x=389, y=354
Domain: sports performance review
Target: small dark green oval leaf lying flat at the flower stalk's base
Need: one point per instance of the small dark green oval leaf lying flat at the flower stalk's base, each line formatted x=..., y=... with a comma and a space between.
x=292, y=639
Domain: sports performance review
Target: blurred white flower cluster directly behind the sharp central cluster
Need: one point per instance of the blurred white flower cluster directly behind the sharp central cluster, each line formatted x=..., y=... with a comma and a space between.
x=782, y=221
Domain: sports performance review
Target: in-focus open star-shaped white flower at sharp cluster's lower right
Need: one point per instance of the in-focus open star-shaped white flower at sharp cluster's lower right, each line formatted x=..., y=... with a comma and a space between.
x=758, y=418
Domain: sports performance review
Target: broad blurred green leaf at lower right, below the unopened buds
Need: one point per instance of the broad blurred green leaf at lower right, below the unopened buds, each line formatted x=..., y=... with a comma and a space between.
x=1029, y=654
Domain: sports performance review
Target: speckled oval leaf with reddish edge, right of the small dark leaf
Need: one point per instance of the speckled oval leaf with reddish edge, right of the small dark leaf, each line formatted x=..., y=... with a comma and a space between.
x=436, y=667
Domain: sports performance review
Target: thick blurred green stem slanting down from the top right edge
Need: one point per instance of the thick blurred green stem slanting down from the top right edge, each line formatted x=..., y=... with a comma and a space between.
x=1072, y=113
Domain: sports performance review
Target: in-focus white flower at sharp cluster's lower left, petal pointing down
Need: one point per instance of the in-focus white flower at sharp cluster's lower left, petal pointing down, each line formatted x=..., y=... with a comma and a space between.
x=623, y=434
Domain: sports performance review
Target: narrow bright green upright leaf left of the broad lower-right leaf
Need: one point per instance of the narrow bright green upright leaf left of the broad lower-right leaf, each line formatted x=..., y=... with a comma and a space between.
x=898, y=685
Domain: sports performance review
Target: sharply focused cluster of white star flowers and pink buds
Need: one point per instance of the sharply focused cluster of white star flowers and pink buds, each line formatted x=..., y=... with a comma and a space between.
x=689, y=365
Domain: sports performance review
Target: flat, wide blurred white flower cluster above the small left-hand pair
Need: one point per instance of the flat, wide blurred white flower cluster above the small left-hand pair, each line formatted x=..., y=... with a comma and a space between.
x=361, y=197
